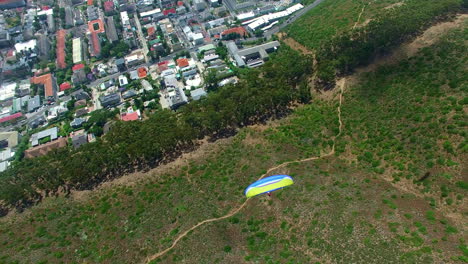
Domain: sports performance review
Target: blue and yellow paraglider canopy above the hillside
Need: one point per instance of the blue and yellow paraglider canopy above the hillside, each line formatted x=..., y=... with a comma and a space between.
x=268, y=184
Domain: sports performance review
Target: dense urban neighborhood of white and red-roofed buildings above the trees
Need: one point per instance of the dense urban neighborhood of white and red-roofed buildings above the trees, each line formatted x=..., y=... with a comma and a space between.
x=70, y=69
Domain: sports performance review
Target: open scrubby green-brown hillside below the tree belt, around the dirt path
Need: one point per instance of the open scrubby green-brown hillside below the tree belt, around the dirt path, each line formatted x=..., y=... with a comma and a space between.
x=345, y=208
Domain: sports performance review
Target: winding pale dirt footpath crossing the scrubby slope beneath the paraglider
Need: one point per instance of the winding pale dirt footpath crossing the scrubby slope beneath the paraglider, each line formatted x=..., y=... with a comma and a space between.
x=341, y=85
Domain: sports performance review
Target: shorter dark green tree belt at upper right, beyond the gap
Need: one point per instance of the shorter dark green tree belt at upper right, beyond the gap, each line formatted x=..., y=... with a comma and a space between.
x=358, y=47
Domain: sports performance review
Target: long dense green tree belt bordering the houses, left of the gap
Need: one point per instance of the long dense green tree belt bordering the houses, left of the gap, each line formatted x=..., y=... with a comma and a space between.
x=130, y=146
